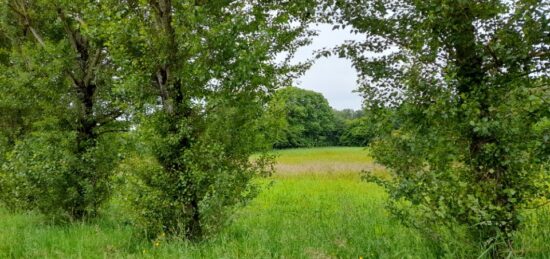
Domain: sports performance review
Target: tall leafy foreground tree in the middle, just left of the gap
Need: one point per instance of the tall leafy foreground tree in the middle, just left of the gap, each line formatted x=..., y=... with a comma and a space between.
x=202, y=72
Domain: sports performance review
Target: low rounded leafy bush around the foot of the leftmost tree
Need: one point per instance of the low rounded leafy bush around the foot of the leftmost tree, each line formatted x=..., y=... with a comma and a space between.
x=44, y=172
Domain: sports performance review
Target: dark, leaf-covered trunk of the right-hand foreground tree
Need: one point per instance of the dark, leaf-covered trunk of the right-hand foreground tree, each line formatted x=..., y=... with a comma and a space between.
x=471, y=76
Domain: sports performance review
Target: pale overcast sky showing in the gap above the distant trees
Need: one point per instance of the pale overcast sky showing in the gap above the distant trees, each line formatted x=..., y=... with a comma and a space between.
x=333, y=77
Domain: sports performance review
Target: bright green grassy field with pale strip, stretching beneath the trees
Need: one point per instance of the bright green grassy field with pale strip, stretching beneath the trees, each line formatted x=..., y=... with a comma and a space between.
x=316, y=207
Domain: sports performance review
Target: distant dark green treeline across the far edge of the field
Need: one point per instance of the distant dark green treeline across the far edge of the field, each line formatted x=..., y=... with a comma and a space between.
x=303, y=118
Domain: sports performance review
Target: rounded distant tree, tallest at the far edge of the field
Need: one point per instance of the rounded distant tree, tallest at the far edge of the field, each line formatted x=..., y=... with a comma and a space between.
x=308, y=120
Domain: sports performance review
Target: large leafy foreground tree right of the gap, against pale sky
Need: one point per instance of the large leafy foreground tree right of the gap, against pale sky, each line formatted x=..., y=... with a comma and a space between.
x=470, y=80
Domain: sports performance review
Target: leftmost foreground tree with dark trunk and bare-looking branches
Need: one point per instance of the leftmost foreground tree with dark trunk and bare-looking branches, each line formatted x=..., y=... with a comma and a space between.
x=57, y=64
